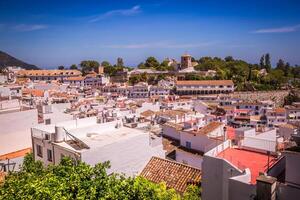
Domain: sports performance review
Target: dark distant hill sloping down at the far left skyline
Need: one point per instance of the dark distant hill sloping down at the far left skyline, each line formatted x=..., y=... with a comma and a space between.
x=8, y=60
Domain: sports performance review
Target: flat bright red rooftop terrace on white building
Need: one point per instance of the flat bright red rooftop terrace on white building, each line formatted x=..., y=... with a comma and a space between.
x=242, y=159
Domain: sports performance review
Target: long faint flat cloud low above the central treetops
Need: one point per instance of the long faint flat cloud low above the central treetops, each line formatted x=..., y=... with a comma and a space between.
x=158, y=45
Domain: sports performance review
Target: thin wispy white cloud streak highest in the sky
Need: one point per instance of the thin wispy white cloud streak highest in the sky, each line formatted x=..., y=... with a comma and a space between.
x=122, y=12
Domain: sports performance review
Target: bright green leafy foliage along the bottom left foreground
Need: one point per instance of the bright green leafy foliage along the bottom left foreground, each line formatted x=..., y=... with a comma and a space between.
x=82, y=181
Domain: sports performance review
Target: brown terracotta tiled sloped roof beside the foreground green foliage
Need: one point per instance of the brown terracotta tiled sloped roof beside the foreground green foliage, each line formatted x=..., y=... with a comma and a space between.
x=175, y=175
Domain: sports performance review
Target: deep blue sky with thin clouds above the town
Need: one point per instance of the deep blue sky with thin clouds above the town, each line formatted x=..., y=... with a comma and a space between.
x=52, y=33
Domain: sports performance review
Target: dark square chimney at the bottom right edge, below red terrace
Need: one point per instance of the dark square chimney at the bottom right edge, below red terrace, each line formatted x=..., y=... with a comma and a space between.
x=266, y=187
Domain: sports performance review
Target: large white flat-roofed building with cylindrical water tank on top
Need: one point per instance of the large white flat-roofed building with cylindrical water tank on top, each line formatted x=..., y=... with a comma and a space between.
x=127, y=149
